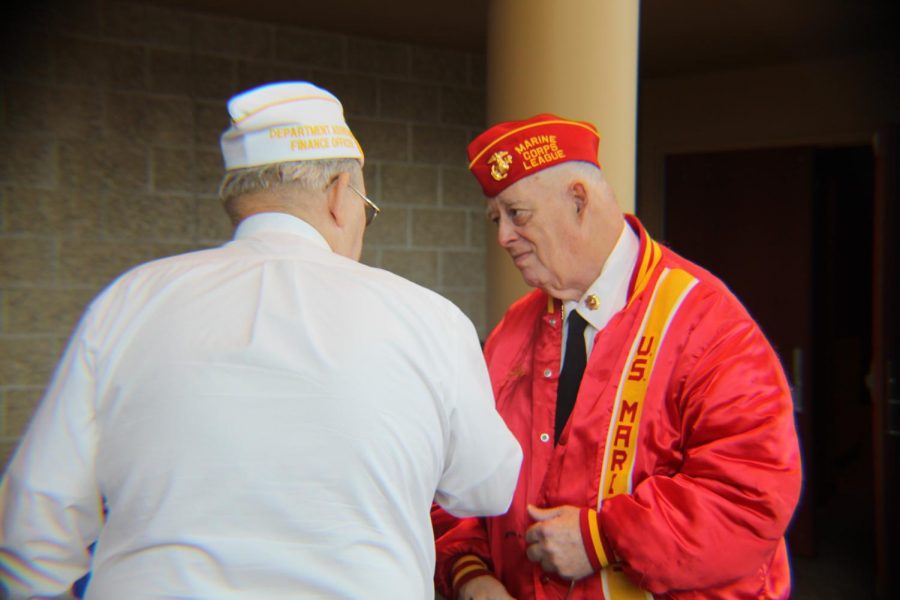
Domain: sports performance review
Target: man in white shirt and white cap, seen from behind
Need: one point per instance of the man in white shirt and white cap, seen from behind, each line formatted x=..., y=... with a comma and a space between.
x=266, y=419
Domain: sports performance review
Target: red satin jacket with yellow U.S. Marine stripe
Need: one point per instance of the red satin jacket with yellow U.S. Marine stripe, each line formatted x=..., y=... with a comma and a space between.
x=714, y=470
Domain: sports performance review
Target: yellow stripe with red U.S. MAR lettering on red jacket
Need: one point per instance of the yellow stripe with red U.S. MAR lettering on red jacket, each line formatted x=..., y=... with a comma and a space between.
x=621, y=440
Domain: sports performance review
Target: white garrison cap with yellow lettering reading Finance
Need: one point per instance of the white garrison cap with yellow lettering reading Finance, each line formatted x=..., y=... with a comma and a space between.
x=286, y=122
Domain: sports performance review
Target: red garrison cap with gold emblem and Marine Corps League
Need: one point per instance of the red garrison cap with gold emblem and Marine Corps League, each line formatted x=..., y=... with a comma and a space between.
x=509, y=151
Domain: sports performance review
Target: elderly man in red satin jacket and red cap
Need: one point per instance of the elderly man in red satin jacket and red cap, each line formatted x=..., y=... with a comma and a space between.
x=661, y=457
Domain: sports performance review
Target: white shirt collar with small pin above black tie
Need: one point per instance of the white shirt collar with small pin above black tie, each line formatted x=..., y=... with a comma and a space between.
x=611, y=287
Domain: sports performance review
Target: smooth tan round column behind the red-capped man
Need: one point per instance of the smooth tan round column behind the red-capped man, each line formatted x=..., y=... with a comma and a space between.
x=576, y=59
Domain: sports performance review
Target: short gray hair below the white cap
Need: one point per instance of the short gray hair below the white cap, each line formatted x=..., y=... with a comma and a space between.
x=309, y=175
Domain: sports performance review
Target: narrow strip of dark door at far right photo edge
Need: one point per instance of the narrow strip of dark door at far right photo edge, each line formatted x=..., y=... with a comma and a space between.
x=885, y=363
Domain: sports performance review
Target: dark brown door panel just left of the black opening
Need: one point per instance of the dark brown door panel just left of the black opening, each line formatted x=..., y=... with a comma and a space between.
x=746, y=217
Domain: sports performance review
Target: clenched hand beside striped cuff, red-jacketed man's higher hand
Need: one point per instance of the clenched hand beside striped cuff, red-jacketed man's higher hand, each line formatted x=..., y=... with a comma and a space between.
x=555, y=541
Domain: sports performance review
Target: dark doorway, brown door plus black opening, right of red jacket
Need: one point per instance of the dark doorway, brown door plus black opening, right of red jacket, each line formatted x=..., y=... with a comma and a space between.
x=790, y=231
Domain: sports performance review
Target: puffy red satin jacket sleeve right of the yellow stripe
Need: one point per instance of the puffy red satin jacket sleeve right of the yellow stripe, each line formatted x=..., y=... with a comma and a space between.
x=722, y=514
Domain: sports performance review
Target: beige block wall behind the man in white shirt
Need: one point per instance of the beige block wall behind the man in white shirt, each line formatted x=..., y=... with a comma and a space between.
x=110, y=114
